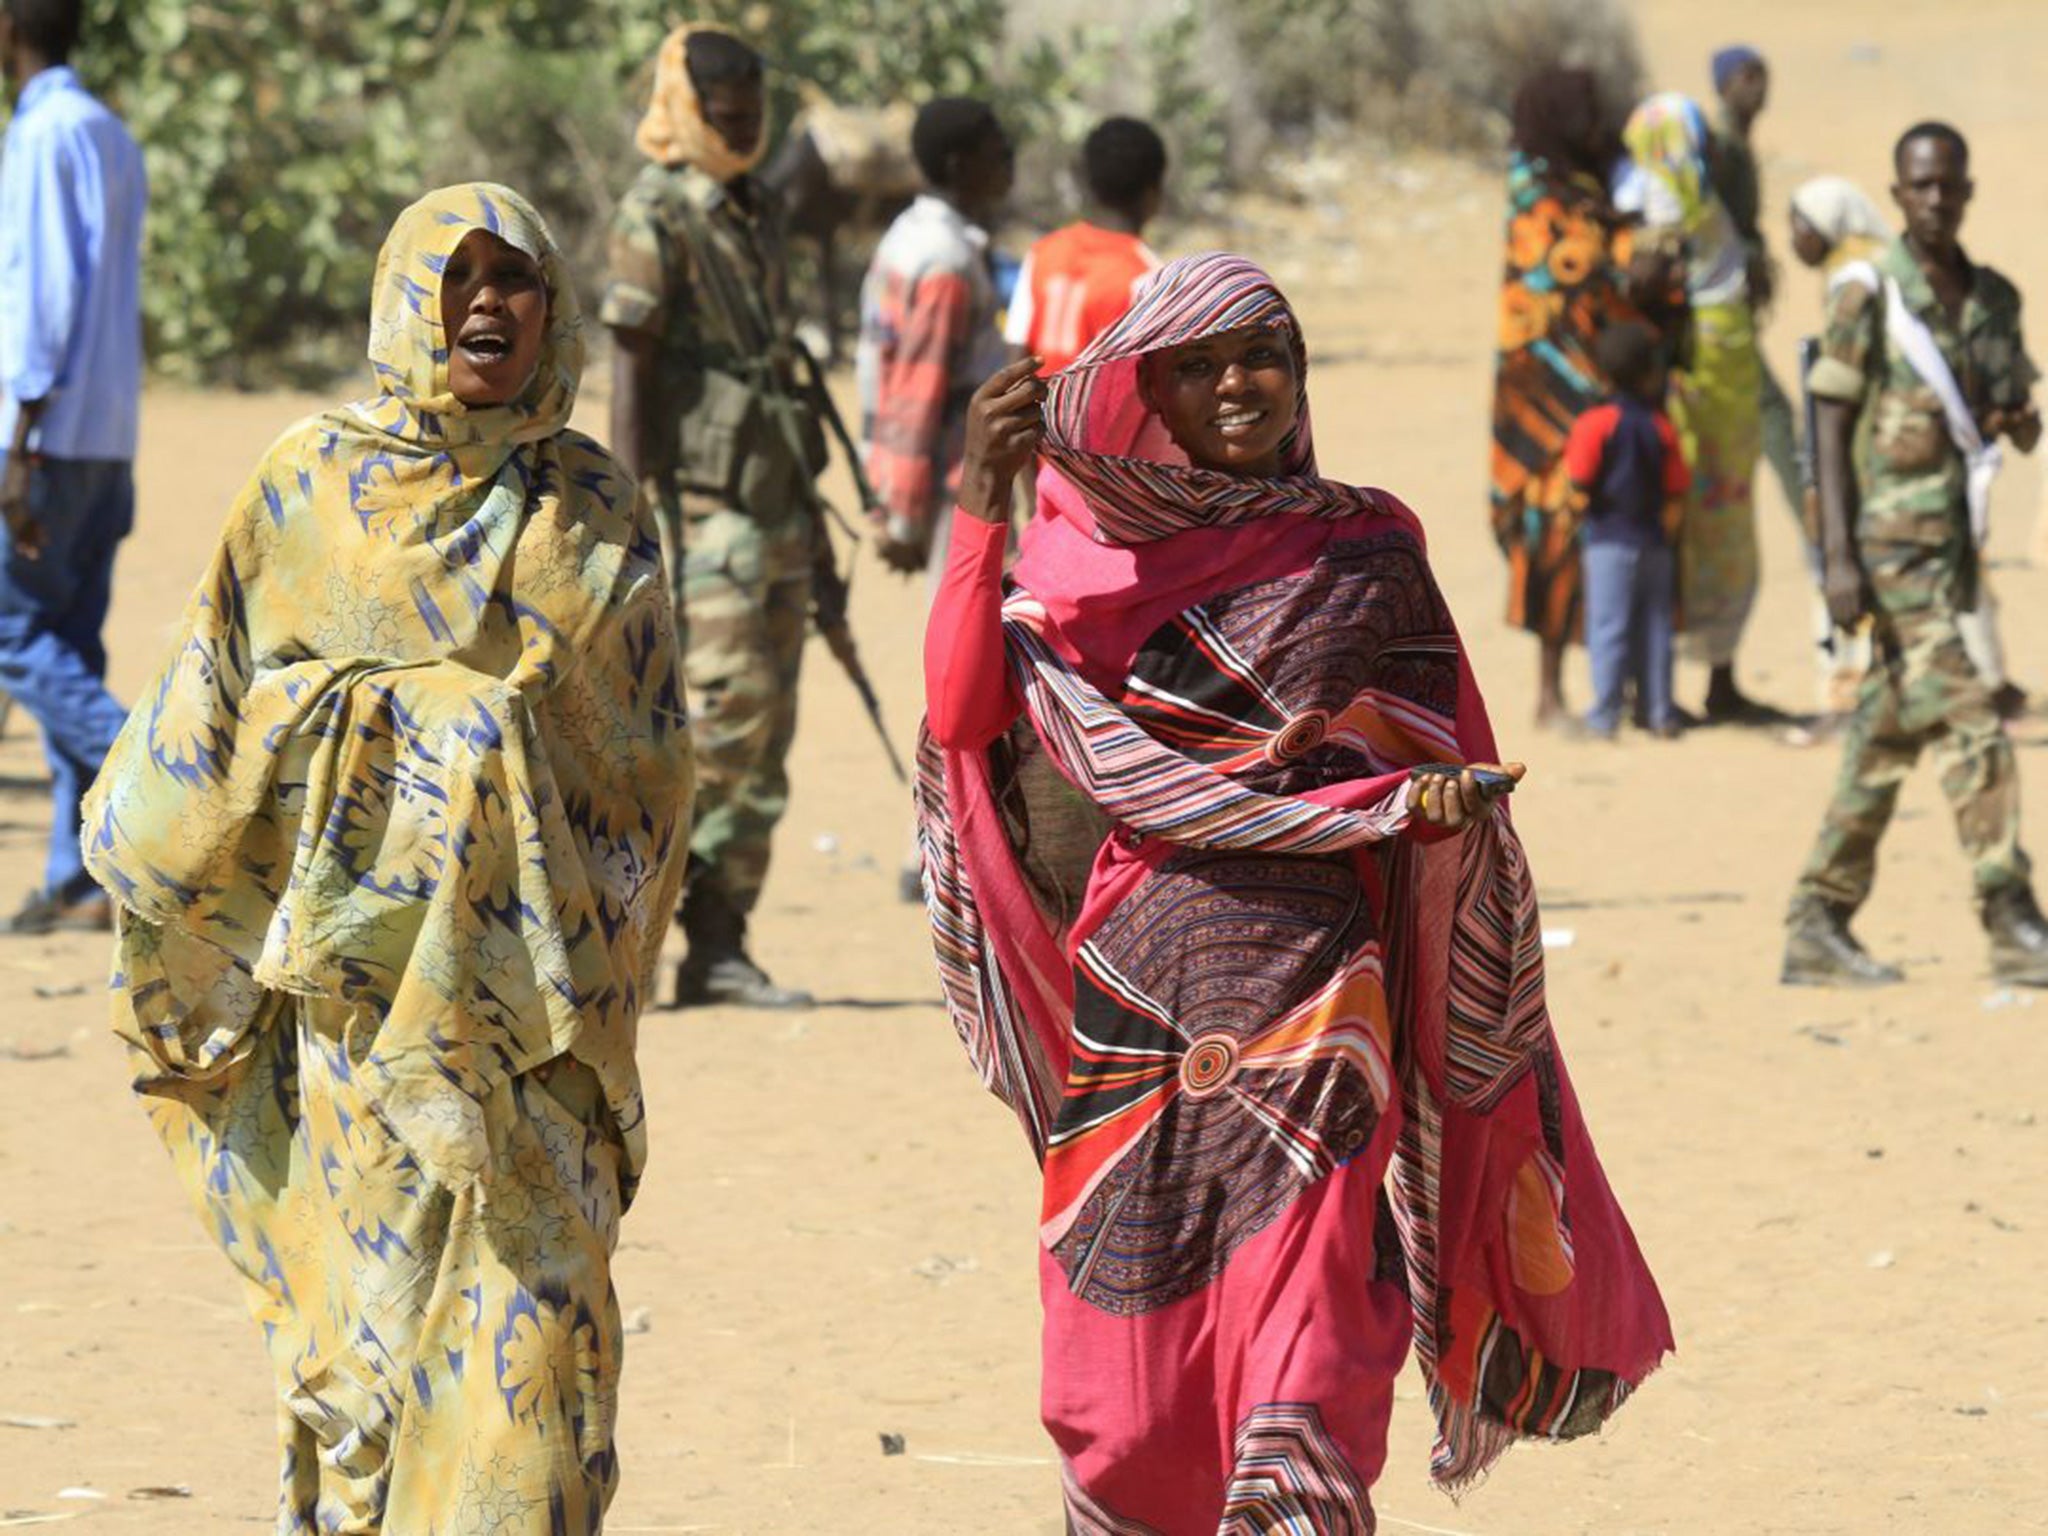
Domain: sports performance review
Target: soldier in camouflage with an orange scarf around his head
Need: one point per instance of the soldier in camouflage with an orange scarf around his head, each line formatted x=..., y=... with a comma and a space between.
x=708, y=417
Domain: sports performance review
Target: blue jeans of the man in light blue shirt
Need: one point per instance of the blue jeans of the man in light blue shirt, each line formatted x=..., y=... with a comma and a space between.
x=52, y=658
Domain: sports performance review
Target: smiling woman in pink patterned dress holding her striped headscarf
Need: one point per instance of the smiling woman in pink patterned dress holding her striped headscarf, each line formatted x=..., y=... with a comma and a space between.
x=1283, y=1048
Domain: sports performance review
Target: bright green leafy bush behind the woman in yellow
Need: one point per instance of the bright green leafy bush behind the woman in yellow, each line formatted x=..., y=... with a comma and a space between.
x=284, y=136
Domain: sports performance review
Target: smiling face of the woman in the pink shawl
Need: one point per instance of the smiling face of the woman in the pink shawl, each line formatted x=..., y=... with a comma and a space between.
x=1228, y=400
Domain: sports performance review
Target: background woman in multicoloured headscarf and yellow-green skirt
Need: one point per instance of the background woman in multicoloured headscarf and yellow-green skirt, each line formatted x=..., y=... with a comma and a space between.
x=1715, y=398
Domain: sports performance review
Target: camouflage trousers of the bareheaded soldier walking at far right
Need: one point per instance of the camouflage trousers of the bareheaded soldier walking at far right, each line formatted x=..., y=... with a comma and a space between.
x=1920, y=693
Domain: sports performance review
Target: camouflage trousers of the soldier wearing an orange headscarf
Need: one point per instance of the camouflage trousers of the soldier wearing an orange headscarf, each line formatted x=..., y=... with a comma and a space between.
x=742, y=609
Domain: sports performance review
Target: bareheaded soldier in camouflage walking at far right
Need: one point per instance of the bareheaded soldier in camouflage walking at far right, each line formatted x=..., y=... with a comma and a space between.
x=1900, y=550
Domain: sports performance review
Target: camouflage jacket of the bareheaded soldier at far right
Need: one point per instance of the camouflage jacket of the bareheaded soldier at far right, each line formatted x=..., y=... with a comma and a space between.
x=1912, y=480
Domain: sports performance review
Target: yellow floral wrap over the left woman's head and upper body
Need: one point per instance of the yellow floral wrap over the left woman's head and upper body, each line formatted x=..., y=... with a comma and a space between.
x=421, y=744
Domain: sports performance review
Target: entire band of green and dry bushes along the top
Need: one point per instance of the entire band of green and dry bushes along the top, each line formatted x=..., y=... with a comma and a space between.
x=284, y=136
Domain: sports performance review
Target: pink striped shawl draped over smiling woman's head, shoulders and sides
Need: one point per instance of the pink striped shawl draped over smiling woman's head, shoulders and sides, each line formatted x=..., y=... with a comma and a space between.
x=1533, y=1310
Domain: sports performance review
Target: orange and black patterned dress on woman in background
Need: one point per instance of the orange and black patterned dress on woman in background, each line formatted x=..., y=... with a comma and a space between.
x=1562, y=286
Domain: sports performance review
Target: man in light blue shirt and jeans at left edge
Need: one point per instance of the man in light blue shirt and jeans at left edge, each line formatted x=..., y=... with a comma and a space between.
x=73, y=204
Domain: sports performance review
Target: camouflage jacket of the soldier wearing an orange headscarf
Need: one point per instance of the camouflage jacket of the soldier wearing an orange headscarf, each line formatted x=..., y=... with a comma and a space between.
x=708, y=275
